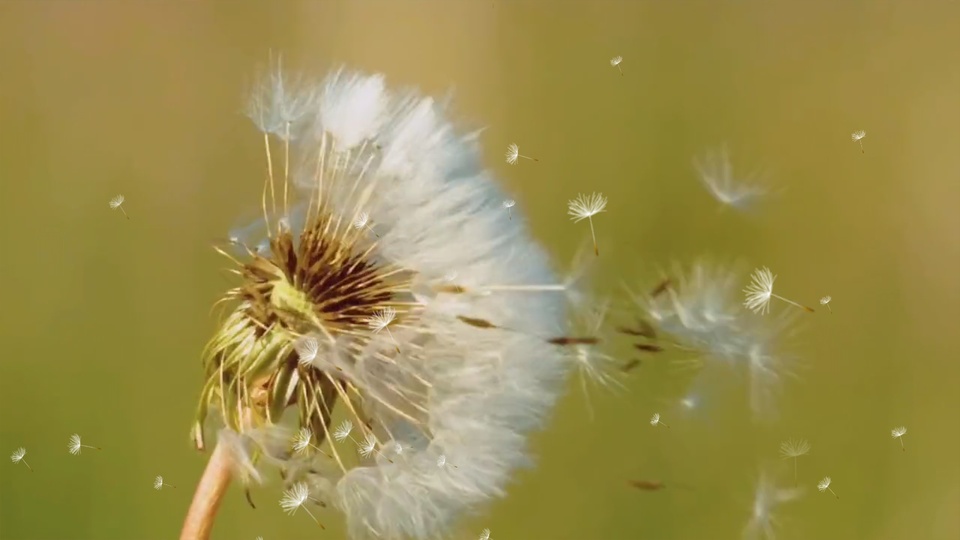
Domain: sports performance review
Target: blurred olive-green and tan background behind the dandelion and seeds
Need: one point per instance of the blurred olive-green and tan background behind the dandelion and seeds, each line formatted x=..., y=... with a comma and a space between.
x=103, y=319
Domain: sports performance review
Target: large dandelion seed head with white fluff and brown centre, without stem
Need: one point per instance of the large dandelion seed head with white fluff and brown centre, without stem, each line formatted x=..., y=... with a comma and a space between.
x=450, y=389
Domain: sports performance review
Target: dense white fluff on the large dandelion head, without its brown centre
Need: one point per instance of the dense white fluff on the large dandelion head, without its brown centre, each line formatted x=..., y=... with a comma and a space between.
x=466, y=392
